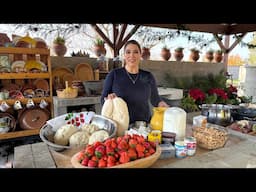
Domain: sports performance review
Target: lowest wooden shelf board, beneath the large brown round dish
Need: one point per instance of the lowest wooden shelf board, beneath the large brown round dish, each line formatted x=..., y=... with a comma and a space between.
x=22, y=133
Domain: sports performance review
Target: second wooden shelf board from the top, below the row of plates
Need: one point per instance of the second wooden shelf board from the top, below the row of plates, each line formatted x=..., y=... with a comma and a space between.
x=24, y=75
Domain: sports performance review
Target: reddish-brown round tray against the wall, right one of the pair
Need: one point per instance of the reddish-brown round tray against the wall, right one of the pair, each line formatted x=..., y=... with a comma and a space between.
x=84, y=72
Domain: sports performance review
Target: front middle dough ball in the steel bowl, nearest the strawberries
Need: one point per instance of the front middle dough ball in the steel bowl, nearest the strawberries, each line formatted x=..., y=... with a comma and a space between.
x=79, y=139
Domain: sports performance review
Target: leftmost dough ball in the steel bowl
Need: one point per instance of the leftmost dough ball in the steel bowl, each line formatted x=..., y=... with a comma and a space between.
x=63, y=134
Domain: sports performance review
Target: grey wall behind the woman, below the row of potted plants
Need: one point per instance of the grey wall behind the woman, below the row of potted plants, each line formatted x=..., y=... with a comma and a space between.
x=158, y=68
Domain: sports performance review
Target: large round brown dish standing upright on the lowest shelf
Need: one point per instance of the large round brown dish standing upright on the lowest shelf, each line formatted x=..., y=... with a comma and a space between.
x=33, y=118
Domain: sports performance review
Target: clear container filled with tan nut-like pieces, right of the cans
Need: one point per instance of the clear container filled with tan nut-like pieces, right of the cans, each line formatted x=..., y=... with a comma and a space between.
x=210, y=137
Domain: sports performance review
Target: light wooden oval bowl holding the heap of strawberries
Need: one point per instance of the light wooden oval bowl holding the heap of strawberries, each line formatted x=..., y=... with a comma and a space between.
x=140, y=163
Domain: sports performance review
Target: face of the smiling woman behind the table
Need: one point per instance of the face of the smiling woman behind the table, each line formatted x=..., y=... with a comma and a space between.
x=132, y=55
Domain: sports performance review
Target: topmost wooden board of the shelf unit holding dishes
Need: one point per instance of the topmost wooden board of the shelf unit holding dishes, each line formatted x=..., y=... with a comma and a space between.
x=20, y=50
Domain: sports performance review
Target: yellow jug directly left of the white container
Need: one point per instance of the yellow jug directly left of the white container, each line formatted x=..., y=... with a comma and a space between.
x=156, y=121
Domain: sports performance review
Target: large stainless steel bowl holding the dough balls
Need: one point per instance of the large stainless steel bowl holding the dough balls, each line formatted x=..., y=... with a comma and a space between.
x=47, y=133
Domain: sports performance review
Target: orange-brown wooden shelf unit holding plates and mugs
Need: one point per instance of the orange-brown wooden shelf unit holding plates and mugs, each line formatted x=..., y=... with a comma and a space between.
x=25, y=54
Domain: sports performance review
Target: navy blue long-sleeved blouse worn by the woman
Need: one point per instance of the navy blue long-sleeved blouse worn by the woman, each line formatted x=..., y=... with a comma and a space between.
x=137, y=90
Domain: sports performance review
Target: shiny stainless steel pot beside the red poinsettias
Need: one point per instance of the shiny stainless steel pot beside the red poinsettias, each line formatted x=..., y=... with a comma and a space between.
x=217, y=114
